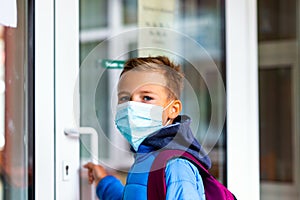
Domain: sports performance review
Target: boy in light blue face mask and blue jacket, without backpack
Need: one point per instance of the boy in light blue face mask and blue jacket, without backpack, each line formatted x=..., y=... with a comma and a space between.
x=148, y=117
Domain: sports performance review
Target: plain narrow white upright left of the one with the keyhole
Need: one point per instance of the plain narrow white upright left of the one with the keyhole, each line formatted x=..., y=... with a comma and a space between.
x=44, y=100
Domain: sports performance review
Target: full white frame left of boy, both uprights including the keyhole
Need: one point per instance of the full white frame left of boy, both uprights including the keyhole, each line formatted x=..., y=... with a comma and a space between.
x=56, y=71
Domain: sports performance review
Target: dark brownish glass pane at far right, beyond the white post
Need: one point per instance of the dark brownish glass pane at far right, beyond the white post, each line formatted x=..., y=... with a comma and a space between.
x=279, y=99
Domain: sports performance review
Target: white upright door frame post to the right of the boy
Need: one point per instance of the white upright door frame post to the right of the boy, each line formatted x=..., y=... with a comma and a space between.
x=242, y=99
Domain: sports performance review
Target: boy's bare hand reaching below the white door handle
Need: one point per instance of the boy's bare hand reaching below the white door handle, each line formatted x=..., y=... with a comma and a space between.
x=95, y=172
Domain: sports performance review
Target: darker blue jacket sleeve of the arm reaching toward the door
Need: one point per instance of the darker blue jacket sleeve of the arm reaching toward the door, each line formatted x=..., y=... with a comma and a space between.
x=110, y=188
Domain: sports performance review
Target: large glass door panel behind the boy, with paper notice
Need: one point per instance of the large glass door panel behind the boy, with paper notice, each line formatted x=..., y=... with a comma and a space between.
x=113, y=31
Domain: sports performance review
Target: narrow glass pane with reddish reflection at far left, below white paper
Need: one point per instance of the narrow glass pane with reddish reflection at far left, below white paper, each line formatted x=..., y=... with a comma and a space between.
x=16, y=158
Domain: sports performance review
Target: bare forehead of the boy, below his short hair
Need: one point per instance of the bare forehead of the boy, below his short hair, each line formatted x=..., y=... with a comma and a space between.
x=132, y=80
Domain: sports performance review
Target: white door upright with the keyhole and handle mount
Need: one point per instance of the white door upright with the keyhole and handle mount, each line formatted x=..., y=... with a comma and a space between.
x=66, y=75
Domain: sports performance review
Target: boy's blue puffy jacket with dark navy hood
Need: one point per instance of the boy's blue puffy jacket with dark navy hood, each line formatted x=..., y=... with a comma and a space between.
x=183, y=180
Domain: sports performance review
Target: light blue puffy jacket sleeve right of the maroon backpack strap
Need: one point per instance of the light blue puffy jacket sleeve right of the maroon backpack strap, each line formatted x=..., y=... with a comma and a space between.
x=183, y=180
